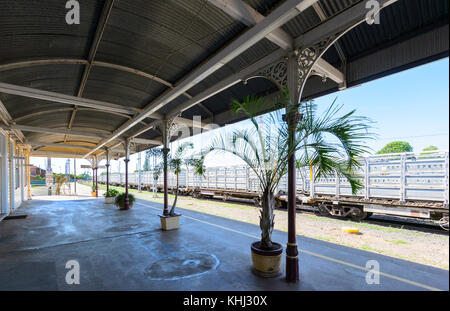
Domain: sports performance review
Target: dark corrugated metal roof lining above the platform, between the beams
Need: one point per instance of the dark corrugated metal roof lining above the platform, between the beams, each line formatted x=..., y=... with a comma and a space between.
x=167, y=39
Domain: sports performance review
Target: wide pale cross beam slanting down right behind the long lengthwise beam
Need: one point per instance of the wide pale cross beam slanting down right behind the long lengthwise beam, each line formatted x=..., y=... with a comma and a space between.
x=241, y=11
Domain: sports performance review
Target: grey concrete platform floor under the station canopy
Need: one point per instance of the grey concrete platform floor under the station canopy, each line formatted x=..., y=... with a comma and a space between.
x=126, y=250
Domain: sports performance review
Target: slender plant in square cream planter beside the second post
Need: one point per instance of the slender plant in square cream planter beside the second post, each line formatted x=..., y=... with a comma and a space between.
x=175, y=163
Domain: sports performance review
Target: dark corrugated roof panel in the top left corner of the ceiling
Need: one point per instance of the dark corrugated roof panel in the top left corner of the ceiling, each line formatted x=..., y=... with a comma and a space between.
x=36, y=30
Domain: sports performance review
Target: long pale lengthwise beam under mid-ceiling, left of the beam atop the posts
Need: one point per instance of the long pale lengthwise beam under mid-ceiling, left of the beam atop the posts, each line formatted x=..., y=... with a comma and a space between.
x=285, y=12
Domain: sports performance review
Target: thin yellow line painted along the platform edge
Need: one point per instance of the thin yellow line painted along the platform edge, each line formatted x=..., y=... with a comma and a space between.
x=317, y=255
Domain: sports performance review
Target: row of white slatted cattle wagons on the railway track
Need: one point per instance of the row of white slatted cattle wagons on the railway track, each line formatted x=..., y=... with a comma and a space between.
x=407, y=184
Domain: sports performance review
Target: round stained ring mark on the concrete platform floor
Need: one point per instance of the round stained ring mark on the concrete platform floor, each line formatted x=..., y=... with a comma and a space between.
x=183, y=266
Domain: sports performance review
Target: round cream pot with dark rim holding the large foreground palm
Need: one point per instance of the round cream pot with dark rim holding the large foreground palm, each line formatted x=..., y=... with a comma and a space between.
x=267, y=263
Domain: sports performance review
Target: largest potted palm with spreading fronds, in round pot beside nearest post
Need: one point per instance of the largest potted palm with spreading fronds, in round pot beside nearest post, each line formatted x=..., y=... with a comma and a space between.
x=266, y=149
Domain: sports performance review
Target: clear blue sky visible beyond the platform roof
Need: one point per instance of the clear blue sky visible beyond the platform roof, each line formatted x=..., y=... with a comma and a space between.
x=412, y=106
